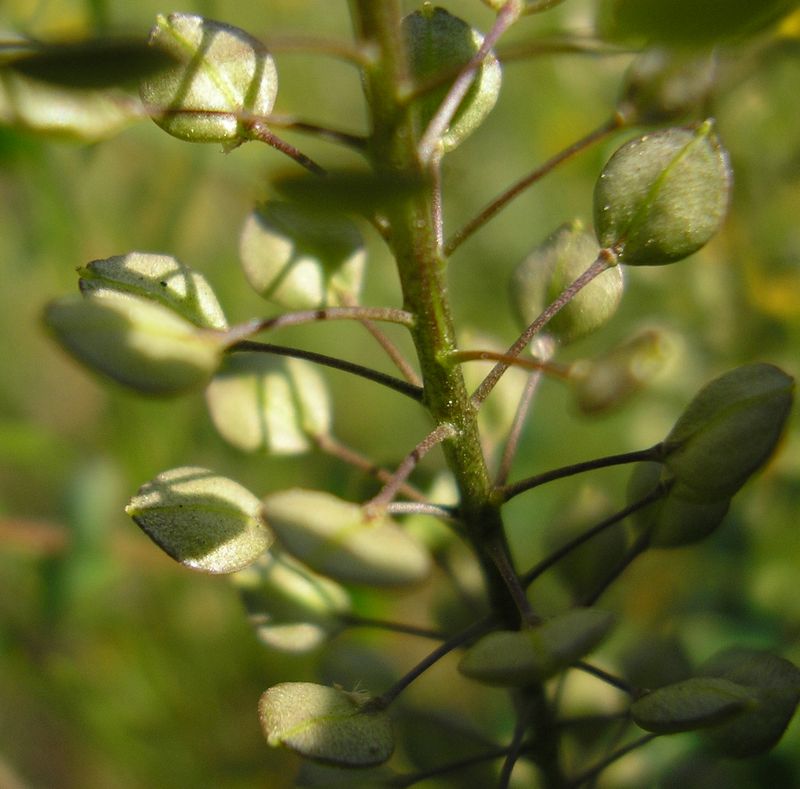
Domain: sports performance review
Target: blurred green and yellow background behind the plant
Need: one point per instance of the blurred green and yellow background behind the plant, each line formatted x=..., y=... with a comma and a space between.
x=119, y=668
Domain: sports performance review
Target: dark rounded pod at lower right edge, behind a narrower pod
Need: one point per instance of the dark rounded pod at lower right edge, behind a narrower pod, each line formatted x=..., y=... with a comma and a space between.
x=775, y=685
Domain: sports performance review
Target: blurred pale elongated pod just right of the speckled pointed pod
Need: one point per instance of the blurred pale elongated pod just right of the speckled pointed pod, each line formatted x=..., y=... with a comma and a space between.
x=335, y=538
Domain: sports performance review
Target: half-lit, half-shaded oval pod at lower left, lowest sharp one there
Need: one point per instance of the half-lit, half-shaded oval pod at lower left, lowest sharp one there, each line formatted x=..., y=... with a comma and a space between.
x=326, y=724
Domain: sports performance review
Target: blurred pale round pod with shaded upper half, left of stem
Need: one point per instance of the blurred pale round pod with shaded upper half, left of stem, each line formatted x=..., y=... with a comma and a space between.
x=300, y=257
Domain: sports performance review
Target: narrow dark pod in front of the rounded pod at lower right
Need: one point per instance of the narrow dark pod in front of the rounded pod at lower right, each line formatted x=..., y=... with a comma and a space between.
x=694, y=703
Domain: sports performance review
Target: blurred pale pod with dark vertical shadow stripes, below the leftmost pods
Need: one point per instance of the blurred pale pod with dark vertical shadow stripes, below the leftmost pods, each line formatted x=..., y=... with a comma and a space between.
x=264, y=403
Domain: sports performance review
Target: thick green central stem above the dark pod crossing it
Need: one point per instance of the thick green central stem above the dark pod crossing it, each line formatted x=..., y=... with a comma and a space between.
x=415, y=243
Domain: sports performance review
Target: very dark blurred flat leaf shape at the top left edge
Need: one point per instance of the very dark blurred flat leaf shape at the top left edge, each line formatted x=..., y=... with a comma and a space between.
x=92, y=64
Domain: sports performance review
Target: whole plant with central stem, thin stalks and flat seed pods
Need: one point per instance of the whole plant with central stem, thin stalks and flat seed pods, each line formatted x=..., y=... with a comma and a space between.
x=308, y=562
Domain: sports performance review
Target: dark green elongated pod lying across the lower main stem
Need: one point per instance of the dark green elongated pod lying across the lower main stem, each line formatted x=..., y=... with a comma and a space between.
x=523, y=657
